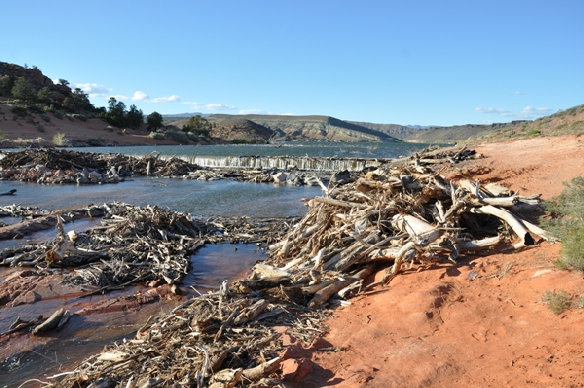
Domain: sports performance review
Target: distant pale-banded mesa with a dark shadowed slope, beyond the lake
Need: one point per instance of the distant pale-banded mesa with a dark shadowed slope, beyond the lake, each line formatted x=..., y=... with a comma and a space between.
x=309, y=127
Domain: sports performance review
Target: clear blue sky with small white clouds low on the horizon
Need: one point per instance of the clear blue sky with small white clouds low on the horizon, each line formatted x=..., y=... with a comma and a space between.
x=423, y=62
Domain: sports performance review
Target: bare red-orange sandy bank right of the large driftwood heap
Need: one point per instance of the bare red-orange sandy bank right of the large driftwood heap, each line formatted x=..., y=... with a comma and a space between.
x=480, y=323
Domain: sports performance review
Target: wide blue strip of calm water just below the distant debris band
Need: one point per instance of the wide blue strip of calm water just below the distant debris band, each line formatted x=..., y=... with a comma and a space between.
x=224, y=197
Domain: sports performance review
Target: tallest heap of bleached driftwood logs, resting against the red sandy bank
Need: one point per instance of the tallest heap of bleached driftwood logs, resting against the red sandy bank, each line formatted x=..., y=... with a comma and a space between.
x=401, y=212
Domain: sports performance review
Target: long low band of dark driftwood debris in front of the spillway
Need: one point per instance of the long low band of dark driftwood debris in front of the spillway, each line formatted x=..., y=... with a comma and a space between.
x=54, y=166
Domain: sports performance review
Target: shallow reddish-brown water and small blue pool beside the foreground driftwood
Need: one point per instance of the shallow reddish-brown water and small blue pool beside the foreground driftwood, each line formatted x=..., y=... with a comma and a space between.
x=27, y=357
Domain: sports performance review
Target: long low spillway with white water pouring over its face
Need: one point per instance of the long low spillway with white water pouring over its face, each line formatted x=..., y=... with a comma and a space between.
x=304, y=163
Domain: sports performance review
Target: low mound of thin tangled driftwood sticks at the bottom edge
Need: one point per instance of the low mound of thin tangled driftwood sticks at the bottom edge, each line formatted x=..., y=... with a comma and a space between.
x=218, y=340
